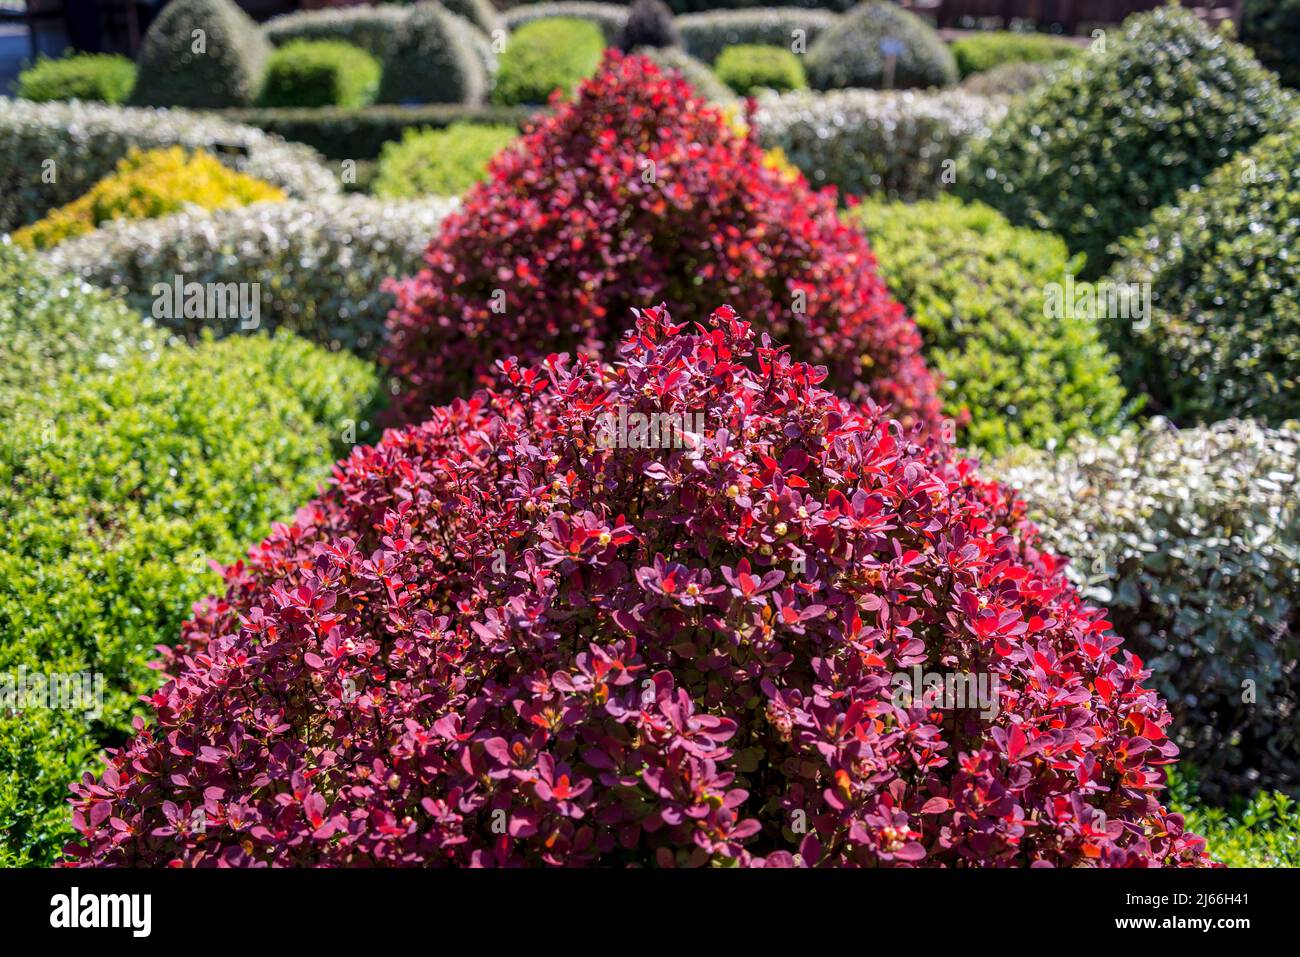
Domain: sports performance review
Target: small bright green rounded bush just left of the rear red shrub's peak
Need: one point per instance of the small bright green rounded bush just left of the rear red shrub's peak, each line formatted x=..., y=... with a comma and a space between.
x=544, y=57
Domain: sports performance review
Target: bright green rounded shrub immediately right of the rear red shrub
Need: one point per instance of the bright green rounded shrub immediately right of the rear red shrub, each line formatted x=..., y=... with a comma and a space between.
x=976, y=285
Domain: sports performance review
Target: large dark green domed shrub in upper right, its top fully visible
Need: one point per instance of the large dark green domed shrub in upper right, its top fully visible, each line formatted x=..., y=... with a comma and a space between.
x=1165, y=105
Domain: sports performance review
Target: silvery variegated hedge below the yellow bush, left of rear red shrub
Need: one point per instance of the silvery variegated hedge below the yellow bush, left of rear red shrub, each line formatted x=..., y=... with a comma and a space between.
x=319, y=266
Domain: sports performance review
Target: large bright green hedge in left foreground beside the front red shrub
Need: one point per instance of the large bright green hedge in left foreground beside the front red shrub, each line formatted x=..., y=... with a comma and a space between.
x=112, y=501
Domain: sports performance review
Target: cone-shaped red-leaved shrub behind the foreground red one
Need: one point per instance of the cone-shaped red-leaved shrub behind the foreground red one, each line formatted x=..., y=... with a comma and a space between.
x=638, y=193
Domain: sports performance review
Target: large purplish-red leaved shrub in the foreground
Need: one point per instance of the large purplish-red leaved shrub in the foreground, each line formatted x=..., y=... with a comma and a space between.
x=499, y=642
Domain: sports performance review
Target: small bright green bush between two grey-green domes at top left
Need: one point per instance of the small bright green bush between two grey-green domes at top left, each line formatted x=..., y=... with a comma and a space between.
x=320, y=73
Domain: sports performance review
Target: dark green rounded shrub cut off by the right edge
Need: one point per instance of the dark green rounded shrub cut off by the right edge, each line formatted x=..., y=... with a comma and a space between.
x=1224, y=337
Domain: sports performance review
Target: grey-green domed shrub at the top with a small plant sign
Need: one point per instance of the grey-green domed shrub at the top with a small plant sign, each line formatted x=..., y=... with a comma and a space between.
x=881, y=45
